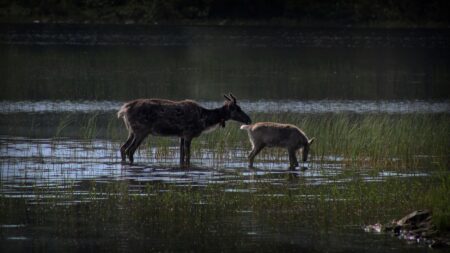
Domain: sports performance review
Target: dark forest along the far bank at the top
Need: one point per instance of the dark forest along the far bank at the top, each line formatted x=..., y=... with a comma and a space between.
x=384, y=13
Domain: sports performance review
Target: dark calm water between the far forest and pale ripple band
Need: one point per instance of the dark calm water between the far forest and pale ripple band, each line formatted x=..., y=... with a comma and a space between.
x=122, y=63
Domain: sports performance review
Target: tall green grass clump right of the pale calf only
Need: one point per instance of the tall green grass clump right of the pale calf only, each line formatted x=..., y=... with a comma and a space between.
x=381, y=139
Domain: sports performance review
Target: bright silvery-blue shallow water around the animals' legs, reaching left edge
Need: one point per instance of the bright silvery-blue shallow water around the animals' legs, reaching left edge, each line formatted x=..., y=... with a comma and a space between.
x=33, y=162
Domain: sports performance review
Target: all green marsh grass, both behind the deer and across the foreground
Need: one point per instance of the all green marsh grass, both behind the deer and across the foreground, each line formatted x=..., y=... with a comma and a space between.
x=365, y=144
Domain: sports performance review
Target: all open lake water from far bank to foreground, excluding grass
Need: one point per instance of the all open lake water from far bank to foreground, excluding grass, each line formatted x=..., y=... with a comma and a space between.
x=56, y=76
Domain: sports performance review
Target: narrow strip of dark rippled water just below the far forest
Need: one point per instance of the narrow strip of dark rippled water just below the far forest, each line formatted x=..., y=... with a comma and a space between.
x=216, y=36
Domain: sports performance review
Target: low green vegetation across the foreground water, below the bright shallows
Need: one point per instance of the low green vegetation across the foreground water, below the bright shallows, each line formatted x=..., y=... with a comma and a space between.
x=193, y=212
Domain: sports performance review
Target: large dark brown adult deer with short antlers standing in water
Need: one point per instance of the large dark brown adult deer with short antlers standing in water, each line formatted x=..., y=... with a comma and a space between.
x=185, y=119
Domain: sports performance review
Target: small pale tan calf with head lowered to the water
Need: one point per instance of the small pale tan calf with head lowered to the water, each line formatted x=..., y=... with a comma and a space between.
x=270, y=134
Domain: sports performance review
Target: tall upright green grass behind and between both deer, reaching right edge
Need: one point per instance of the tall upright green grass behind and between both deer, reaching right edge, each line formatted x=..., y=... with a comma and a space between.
x=375, y=140
